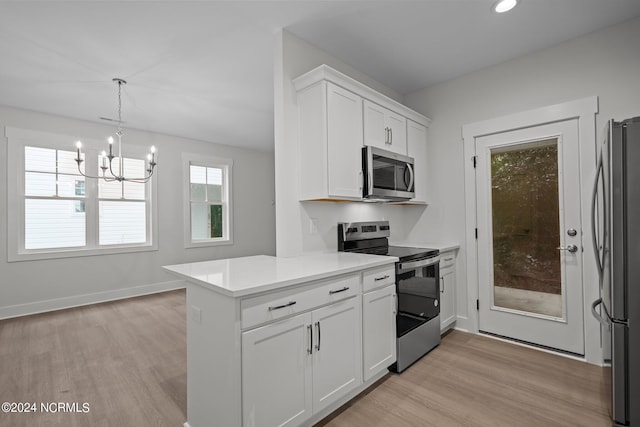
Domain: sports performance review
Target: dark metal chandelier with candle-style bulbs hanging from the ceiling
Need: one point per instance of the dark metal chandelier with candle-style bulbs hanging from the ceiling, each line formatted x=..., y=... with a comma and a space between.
x=106, y=160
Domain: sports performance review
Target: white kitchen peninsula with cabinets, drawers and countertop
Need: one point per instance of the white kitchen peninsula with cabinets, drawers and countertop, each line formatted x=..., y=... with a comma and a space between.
x=285, y=341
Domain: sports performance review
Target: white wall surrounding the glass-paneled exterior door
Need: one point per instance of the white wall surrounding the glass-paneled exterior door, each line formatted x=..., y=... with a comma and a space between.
x=605, y=64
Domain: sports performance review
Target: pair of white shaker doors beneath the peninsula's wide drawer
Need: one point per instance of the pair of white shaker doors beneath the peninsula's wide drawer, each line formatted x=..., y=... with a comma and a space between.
x=296, y=367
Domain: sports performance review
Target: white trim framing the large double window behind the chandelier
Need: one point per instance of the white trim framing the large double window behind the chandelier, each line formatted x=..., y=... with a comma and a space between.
x=17, y=140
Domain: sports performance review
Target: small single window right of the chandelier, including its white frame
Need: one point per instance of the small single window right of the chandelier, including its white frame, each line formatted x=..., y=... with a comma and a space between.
x=207, y=201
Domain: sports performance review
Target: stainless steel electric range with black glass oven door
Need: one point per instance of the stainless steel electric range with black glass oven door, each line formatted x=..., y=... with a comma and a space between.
x=417, y=287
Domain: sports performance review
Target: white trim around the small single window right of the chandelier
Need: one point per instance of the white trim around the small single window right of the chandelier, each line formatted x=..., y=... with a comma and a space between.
x=189, y=159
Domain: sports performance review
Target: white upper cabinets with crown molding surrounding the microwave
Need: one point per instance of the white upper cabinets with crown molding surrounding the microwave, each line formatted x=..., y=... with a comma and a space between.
x=337, y=116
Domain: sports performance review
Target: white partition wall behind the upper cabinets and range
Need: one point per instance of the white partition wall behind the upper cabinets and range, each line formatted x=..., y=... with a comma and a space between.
x=294, y=57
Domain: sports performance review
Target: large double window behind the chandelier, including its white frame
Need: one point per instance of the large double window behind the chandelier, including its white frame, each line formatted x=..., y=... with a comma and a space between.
x=59, y=213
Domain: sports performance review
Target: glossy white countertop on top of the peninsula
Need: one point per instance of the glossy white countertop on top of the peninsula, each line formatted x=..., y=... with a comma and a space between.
x=237, y=277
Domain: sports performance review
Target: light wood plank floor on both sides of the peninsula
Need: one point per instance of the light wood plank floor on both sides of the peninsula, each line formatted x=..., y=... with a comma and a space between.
x=127, y=359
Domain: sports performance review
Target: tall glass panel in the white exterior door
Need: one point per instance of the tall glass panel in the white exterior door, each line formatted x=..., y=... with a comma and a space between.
x=526, y=228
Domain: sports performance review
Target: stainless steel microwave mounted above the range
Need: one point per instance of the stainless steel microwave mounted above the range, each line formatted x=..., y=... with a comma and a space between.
x=387, y=175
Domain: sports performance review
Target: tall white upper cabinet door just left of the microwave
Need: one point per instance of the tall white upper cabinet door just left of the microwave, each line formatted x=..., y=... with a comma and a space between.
x=344, y=142
